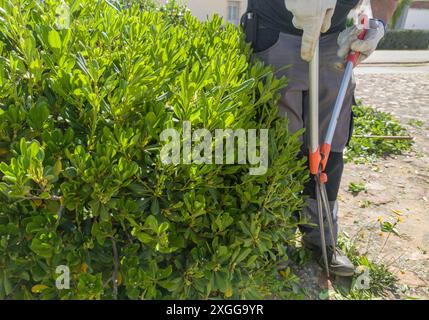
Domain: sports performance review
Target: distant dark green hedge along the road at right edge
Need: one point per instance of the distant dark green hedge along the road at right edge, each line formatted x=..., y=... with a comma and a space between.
x=405, y=40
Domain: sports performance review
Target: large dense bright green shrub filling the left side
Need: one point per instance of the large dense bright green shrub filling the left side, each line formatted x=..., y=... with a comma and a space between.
x=83, y=186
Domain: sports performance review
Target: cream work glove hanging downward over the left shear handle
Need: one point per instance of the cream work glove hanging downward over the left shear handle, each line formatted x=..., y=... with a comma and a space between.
x=313, y=17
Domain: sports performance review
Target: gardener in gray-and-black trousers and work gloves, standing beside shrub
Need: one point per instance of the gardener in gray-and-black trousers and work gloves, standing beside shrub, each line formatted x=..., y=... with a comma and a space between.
x=284, y=34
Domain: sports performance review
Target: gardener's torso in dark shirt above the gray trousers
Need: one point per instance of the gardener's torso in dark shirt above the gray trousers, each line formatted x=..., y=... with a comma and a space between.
x=273, y=14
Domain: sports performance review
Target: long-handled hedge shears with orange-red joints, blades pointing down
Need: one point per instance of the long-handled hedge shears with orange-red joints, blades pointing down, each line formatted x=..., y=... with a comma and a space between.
x=319, y=156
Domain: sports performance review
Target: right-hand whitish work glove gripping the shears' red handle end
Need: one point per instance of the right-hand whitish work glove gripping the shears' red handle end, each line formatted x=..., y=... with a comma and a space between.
x=348, y=40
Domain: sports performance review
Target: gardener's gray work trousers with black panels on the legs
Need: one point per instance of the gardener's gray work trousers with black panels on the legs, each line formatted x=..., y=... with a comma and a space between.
x=294, y=104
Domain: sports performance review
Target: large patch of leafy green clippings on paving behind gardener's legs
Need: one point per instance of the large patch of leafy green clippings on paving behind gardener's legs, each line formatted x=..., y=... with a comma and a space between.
x=370, y=122
